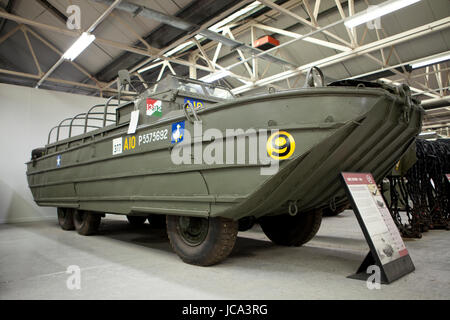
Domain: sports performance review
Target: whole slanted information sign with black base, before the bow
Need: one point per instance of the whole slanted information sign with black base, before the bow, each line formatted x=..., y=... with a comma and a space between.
x=388, y=250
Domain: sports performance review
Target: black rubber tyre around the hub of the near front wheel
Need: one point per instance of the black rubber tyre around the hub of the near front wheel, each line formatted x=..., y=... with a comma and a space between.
x=216, y=246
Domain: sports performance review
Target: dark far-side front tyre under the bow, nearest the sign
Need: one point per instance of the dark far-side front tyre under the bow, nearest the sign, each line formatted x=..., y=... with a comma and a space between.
x=286, y=230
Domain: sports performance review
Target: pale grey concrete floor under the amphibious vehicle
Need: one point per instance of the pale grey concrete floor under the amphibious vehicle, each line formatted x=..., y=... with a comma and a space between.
x=137, y=263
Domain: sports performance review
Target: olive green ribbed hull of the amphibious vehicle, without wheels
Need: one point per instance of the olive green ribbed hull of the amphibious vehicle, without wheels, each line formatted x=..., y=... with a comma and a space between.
x=335, y=129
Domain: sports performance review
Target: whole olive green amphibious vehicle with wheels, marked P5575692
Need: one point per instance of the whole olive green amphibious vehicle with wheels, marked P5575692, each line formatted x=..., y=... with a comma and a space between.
x=190, y=159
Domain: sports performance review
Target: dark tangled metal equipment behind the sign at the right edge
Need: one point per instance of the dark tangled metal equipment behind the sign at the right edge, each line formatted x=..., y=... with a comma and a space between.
x=422, y=193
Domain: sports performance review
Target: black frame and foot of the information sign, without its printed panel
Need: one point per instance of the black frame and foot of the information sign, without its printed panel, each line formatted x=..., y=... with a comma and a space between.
x=390, y=271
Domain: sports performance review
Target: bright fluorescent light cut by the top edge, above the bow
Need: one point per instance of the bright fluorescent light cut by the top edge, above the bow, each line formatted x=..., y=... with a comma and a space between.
x=377, y=11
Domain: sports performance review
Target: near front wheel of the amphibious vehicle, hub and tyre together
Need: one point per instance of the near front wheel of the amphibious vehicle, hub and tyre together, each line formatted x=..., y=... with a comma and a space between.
x=201, y=241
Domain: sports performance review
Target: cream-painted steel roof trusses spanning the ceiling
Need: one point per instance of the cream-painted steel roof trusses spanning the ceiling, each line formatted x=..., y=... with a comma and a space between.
x=353, y=45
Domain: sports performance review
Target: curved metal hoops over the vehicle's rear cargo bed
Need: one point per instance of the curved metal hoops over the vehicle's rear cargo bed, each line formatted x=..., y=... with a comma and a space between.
x=86, y=116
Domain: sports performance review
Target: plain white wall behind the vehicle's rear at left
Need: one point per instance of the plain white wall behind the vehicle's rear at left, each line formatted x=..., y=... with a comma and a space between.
x=26, y=116
